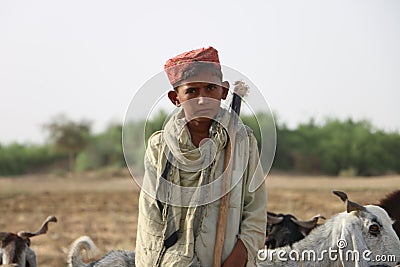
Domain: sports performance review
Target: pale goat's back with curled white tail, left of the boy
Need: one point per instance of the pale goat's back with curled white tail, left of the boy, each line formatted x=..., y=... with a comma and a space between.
x=114, y=258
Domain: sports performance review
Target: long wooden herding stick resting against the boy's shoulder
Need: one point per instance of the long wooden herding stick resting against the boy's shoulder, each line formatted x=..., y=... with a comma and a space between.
x=240, y=88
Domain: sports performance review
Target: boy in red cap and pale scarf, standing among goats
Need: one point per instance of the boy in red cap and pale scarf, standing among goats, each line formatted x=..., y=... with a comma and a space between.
x=179, y=201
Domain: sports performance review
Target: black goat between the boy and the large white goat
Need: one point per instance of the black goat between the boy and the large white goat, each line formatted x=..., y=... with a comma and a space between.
x=285, y=229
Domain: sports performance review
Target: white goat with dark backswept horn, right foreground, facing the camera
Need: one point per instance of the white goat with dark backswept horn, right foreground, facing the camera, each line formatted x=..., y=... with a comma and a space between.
x=356, y=237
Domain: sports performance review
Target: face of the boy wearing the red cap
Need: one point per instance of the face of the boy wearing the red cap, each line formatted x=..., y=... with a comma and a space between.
x=200, y=96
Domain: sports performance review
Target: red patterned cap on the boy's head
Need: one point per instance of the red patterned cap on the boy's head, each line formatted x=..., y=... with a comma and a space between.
x=175, y=66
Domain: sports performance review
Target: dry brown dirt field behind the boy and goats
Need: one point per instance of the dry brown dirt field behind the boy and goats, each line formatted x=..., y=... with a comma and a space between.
x=105, y=208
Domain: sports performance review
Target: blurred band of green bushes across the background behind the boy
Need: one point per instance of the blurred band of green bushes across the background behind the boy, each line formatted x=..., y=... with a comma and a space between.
x=334, y=147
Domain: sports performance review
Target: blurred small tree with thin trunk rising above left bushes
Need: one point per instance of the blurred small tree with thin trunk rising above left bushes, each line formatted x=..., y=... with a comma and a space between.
x=68, y=136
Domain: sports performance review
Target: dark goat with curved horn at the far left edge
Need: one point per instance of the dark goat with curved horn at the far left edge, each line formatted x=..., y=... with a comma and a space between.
x=15, y=248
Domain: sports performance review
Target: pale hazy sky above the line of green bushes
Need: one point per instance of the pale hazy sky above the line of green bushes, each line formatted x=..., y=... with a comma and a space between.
x=87, y=59
